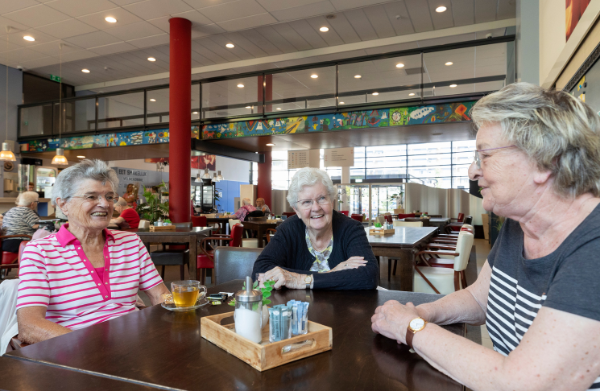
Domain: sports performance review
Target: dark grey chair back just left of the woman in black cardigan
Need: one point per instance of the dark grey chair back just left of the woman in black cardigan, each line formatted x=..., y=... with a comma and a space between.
x=234, y=263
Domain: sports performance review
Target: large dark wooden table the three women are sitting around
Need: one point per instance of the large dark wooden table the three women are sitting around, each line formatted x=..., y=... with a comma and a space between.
x=165, y=348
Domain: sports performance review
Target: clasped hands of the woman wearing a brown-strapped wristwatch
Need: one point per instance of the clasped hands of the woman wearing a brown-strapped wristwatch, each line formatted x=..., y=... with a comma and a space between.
x=391, y=320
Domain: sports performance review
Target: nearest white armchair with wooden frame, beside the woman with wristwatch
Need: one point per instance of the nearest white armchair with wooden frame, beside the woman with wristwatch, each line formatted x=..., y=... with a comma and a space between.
x=445, y=280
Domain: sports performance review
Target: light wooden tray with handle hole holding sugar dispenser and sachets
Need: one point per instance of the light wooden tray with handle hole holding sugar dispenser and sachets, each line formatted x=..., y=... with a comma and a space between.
x=265, y=355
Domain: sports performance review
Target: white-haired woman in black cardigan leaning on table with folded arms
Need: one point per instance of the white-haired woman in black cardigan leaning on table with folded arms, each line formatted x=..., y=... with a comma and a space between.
x=318, y=248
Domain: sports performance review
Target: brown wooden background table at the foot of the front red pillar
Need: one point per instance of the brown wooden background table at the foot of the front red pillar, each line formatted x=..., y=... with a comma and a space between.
x=191, y=236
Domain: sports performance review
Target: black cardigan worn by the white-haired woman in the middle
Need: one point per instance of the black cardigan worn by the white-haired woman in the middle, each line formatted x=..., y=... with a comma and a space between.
x=288, y=250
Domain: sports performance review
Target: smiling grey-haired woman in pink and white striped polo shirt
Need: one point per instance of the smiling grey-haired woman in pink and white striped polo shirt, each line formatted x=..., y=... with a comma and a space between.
x=84, y=274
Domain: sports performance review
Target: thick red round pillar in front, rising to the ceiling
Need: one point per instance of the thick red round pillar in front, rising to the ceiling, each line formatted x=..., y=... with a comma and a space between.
x=180, y=122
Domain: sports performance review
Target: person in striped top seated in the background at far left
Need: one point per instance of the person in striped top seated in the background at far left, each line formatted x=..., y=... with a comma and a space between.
x=20, y=220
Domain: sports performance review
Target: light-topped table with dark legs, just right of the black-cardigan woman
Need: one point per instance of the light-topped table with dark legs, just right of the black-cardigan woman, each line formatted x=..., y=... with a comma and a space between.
x=402, y=245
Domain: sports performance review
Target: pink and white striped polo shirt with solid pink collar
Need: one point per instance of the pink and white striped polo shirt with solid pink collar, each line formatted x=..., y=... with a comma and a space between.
x=55, y=273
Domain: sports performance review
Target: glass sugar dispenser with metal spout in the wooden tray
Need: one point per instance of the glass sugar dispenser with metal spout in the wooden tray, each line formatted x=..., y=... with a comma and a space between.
x=248, y=313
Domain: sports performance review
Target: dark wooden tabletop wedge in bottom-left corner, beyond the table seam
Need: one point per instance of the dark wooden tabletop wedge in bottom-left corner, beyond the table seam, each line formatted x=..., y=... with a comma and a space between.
x=21, y=375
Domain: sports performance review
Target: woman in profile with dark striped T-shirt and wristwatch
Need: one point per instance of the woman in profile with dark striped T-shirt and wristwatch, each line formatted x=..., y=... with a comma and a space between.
x=538, y=164
